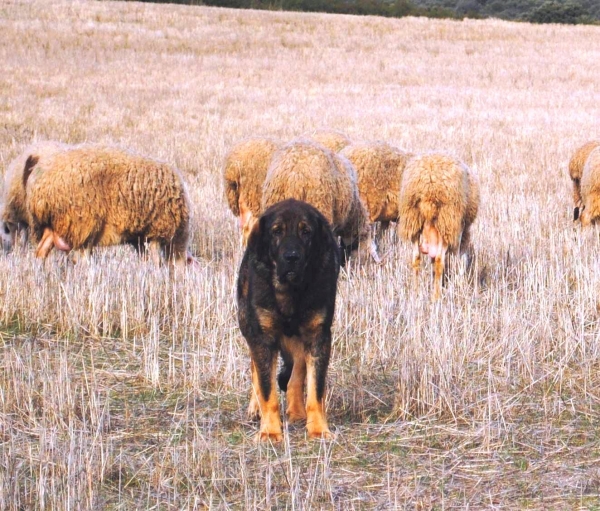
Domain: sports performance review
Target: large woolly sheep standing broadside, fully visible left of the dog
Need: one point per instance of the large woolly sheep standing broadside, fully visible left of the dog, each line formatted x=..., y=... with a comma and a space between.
x=91, y=196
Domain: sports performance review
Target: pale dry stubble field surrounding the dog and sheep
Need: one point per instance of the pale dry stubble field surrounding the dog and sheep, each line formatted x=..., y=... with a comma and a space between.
x=121, y=388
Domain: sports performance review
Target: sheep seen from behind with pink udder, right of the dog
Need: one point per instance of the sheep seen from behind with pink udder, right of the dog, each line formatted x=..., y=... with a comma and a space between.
x=439, y=199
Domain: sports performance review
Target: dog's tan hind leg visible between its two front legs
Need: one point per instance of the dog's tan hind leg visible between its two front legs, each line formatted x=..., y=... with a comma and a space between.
x=295, y=370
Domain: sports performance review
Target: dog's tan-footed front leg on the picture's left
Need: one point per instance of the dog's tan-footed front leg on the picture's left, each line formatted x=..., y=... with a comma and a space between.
x=264, y=359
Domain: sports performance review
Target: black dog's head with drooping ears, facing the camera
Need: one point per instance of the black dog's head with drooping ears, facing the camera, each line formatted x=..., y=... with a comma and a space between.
x=294, y=239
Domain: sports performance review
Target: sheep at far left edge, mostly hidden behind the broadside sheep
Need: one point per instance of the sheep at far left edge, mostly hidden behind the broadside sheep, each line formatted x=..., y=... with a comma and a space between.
x=15, y=217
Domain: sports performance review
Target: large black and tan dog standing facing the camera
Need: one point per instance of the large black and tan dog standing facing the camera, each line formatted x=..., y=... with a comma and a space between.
x=286, y=298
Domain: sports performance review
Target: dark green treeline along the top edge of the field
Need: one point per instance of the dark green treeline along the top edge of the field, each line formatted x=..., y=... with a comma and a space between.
x=535, y=11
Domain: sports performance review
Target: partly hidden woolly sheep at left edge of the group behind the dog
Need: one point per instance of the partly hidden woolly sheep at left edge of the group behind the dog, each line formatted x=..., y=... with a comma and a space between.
x=244, y=171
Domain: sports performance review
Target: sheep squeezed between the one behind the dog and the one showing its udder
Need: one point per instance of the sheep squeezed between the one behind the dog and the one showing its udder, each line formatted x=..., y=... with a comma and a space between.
x=379, y=167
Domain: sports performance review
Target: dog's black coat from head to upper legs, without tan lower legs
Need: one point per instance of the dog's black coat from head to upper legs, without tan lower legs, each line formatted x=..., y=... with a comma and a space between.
x=287, y=278
